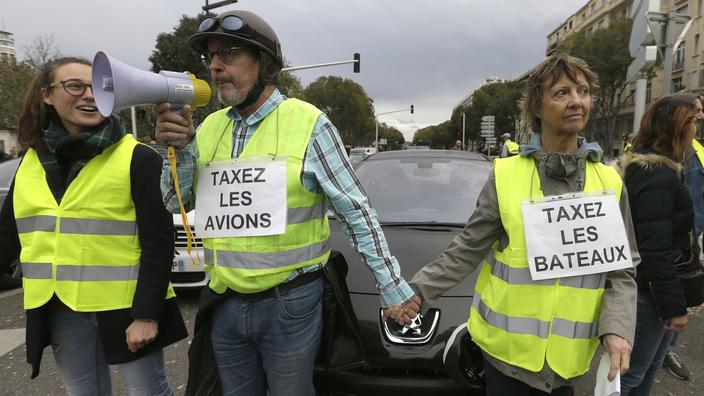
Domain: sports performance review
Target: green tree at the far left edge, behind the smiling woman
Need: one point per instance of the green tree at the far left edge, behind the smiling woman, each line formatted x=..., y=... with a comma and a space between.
x=14, y=81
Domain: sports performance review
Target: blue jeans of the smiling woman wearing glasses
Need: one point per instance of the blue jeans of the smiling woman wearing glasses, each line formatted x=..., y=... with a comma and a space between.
x=79, y=355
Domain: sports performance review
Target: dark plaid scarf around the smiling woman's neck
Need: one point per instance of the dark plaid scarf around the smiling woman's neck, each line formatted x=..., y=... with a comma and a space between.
x=64, y=155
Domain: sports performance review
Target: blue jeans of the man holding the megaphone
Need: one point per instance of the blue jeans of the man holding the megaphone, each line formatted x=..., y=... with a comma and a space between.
x=269, y=344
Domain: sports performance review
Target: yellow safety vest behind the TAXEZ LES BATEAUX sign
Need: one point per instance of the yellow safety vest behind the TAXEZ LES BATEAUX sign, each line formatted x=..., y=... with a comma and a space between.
x=524, y=322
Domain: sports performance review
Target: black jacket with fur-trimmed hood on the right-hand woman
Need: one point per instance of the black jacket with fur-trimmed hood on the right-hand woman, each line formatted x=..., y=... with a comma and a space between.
x=663, y=218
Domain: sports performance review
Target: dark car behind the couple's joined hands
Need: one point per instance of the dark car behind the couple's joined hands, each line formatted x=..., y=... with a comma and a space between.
x=423, y=199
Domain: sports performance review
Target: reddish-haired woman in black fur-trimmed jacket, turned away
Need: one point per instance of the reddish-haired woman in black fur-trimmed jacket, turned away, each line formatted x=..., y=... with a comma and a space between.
x=663, y=220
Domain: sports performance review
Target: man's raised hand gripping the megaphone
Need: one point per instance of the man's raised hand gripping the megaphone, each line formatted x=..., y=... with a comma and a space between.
x=174, y=128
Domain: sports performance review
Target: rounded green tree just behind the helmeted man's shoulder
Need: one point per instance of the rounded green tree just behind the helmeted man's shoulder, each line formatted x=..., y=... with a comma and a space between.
x=347, y=105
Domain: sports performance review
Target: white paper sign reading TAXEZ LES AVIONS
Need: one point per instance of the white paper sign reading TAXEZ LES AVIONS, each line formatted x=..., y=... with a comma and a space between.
x=241, y=198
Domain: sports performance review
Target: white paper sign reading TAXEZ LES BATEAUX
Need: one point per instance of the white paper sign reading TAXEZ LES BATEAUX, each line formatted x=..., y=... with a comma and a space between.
x=578, y=234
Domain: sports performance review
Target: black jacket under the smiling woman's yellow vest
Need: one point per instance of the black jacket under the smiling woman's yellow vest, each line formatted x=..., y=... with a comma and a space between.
x=156, y=236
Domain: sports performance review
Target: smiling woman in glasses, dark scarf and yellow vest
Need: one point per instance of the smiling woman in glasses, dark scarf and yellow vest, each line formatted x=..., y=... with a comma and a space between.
x=84, y=215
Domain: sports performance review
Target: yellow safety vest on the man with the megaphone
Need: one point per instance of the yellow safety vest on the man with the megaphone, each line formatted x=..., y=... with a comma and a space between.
x=253, y=264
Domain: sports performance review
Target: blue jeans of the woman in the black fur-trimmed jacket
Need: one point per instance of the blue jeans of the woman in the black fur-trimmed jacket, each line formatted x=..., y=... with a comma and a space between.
x=649, y=348
